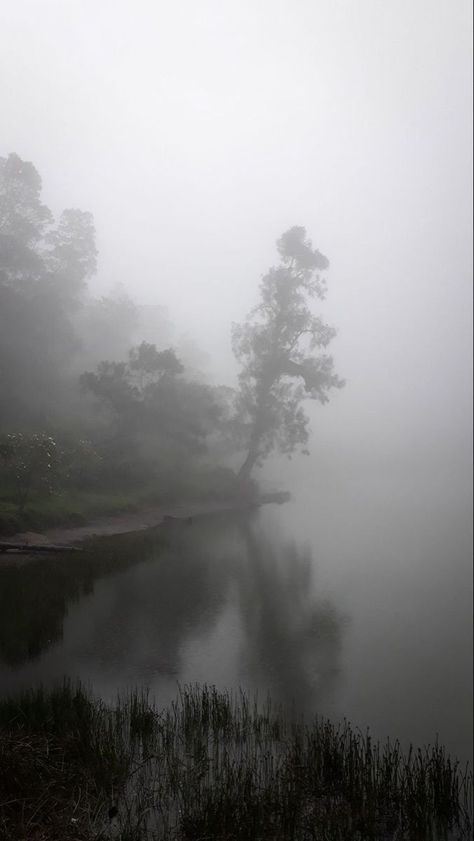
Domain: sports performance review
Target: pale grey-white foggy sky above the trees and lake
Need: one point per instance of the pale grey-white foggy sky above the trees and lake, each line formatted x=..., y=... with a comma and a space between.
x=196, y=132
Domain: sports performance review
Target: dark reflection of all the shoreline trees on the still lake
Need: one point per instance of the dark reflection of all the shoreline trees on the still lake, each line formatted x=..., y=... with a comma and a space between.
x=151, y=608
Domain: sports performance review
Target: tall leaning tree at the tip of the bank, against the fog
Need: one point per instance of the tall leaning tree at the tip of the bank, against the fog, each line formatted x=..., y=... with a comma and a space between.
x=281, y=350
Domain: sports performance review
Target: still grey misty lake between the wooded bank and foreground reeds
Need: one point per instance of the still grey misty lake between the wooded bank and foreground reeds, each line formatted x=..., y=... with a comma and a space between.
x=353, y=600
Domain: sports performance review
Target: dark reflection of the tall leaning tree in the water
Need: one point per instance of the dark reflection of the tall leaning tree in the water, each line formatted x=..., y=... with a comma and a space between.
x=292, y=638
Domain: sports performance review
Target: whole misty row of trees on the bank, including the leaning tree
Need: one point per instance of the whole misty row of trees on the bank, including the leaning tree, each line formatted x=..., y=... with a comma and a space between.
x=100, y=410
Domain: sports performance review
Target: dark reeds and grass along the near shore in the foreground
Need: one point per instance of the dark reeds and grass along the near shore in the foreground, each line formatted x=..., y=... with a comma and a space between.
x=213, y=766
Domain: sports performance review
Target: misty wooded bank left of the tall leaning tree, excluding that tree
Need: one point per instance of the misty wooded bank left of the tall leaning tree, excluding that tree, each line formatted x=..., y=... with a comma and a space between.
x=97, y=408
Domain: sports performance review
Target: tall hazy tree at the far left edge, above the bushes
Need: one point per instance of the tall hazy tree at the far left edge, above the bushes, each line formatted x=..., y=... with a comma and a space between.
x=43, y=272
